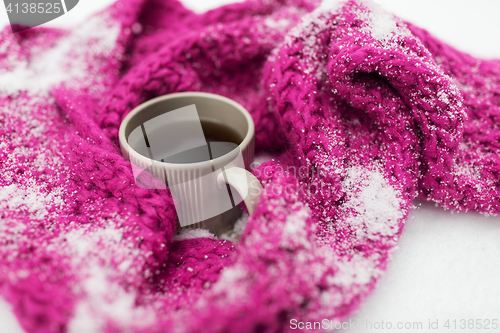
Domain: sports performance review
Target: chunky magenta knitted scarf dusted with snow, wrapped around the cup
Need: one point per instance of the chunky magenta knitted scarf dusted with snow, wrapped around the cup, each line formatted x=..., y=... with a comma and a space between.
x=359, y=111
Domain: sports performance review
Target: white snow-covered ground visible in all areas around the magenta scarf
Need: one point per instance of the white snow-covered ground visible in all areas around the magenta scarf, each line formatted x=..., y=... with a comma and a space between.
x=447, y=265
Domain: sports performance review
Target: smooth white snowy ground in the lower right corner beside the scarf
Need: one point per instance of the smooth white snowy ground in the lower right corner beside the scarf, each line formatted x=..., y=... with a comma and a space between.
x=446, y=267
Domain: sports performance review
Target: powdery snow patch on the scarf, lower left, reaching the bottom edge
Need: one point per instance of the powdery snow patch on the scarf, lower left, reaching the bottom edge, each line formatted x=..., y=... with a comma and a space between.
x=93, y=250
